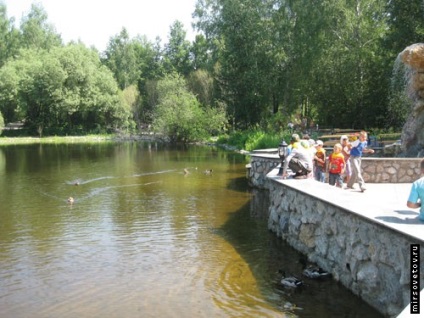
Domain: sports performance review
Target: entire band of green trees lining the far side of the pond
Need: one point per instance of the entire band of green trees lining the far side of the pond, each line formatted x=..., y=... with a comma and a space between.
x=255, y=64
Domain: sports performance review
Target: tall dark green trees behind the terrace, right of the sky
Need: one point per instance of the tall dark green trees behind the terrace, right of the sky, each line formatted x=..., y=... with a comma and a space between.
x=322, y=60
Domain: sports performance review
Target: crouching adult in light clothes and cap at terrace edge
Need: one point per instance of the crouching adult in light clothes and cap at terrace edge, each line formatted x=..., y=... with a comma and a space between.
x=299, y=160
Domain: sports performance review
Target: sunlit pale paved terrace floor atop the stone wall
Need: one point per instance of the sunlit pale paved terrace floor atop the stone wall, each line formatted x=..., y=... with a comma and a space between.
x=383, y=203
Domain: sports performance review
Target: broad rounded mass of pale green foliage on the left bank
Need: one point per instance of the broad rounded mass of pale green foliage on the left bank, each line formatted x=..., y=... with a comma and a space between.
x=66, y=88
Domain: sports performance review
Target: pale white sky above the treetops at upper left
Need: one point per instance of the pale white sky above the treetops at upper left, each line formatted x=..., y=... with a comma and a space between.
x=94, y=22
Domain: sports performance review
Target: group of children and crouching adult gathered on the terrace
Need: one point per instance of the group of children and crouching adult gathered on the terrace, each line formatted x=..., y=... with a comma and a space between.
x=308, y=158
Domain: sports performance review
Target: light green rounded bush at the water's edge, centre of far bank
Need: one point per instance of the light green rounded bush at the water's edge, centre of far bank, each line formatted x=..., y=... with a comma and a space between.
x=178, y=114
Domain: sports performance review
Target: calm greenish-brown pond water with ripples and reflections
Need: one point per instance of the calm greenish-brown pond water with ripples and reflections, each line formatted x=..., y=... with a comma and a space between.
x=143, y=239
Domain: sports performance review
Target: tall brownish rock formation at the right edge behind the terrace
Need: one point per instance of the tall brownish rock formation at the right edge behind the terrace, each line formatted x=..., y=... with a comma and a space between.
x=413, y=130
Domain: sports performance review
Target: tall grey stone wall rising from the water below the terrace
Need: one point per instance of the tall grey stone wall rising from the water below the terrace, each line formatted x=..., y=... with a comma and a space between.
x=371, y=260
